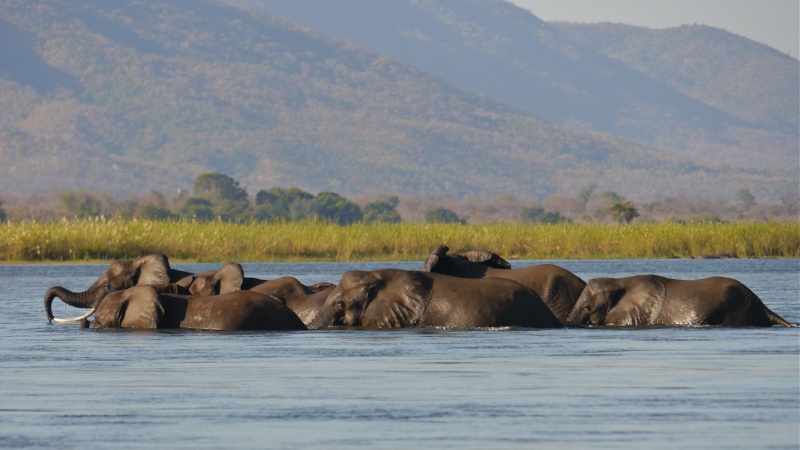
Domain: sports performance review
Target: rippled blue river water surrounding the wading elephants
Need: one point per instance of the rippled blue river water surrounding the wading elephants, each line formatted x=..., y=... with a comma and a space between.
x=63, y=387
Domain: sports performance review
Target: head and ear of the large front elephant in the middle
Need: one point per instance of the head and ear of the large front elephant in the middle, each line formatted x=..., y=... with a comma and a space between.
x=368, y=299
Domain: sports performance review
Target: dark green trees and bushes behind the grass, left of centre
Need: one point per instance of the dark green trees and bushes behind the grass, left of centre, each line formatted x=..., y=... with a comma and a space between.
x=219, y=197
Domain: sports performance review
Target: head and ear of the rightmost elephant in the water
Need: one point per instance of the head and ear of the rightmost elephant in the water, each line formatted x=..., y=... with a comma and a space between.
x=642, y=300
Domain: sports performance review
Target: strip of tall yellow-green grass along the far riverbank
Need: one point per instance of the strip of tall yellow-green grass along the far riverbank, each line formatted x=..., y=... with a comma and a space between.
x=101, y=239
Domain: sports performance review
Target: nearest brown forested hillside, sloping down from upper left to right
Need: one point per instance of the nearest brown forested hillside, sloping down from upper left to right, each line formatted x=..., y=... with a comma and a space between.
x=129, y=97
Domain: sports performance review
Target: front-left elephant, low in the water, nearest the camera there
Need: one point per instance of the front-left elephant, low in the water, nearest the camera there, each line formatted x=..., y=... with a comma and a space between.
x=163, y=306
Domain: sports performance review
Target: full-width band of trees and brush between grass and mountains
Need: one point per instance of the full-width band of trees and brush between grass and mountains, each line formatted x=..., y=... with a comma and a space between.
x=219, y=197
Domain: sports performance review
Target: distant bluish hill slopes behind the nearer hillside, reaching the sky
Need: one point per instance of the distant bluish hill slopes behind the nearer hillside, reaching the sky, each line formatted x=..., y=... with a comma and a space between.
x=697, y=92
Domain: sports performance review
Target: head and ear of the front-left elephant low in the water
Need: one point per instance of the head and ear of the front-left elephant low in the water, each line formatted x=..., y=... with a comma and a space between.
x=136, y=307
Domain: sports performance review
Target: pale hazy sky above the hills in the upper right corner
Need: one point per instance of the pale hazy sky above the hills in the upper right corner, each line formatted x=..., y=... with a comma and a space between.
x=772, y=22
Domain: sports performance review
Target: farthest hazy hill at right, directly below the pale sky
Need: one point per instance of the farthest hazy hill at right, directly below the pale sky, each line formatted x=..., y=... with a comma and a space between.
x=747, y=80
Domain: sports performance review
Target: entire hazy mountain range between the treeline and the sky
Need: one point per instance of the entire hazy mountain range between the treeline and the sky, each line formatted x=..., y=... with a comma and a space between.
x=437, y=98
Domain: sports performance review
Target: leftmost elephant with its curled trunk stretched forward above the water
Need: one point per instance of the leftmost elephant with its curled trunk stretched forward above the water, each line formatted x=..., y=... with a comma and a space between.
x=144, y=270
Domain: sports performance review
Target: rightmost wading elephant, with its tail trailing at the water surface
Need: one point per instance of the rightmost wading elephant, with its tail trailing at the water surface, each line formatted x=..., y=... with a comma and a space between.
x=647, y=300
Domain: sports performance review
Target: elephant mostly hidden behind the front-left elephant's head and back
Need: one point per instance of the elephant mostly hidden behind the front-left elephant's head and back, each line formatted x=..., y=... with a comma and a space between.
x=305, y=301
